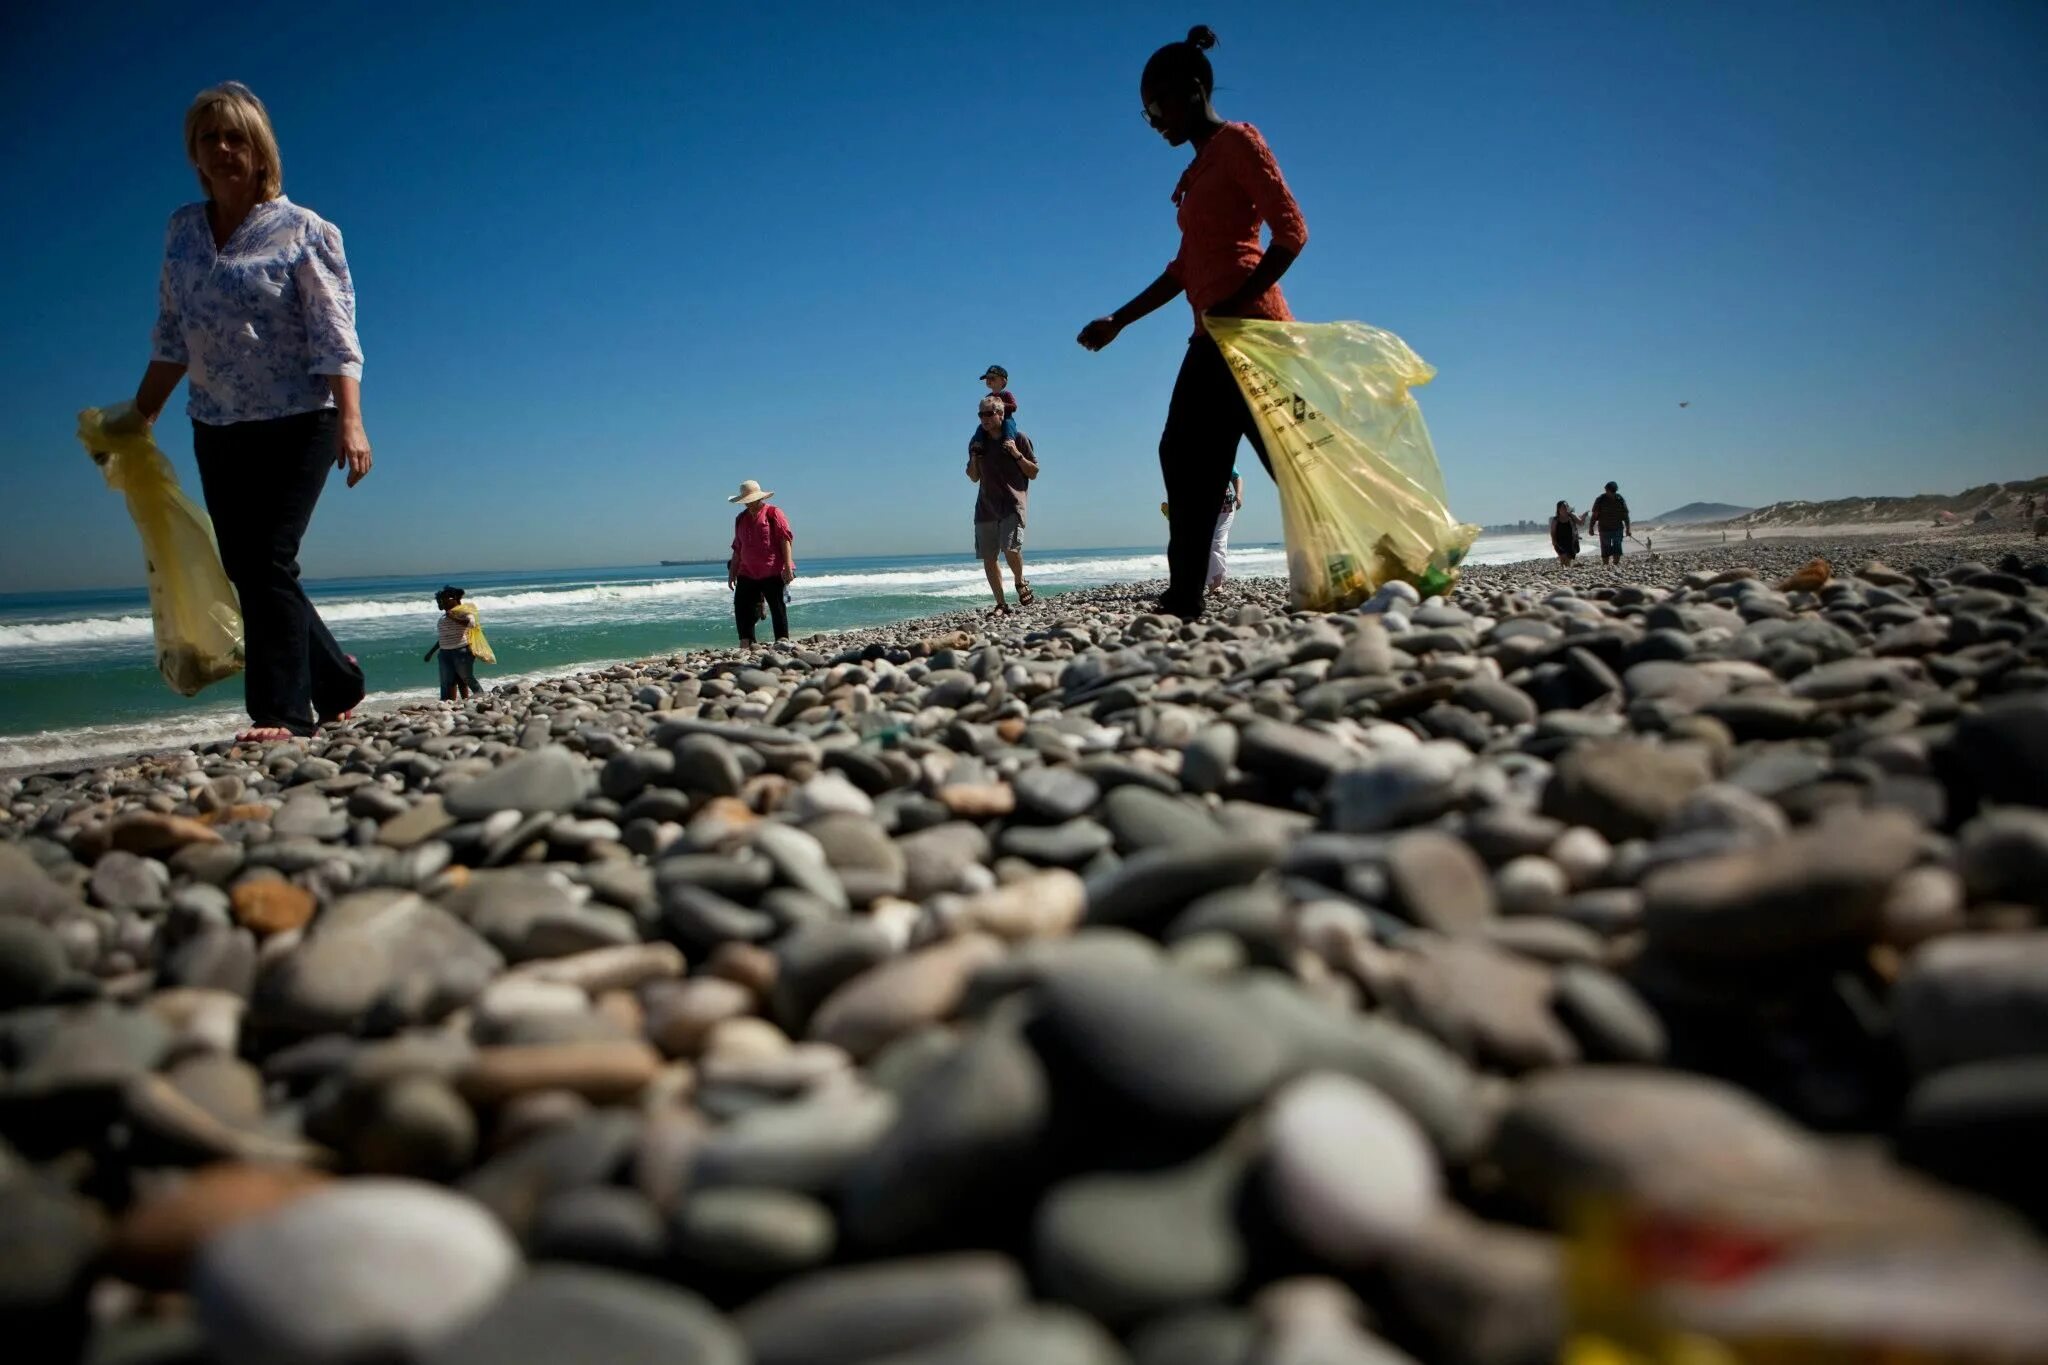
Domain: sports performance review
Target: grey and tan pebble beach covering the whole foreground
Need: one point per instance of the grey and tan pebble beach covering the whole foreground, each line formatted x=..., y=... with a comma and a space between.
x=1074, y=987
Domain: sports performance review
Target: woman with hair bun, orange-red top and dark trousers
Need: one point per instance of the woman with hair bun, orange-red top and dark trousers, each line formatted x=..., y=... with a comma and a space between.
x=1228, y=193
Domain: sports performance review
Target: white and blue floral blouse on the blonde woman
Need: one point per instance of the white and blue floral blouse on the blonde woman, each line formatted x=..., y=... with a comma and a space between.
x=261, y=322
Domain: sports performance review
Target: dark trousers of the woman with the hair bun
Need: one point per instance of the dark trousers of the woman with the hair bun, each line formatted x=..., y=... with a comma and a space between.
x=1197, y=451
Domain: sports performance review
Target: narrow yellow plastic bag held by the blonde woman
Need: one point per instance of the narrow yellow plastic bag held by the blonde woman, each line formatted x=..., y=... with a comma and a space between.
x=194, y=605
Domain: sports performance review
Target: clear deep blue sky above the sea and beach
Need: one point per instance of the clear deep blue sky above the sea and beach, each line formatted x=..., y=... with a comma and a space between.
x=615, y=259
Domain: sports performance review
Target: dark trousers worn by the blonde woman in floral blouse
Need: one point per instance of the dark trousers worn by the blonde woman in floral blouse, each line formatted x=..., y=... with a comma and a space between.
x=261, y=482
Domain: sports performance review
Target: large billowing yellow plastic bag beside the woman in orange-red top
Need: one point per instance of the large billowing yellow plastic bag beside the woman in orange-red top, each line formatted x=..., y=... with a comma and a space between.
x=1361, y=494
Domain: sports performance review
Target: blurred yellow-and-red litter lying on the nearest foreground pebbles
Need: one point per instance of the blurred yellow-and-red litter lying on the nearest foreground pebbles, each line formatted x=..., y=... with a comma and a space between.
x=1850, y=1266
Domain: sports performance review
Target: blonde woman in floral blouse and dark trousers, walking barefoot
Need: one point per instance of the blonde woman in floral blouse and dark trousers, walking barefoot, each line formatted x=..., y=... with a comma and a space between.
x=259, y=318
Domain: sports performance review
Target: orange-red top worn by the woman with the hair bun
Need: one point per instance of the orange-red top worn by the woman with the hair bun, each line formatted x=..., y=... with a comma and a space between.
x=1224, y=197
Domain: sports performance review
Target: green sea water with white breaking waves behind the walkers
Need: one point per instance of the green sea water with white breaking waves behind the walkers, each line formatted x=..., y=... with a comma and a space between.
x=79, y=670
